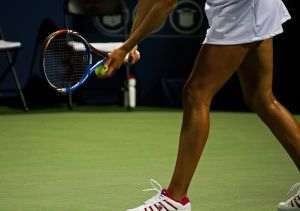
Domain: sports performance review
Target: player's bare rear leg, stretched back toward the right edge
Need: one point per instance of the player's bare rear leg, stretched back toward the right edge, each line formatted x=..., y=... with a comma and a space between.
x=256, y=77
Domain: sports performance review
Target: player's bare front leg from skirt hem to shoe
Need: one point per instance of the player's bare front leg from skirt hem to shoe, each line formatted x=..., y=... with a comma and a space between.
x=214, y=65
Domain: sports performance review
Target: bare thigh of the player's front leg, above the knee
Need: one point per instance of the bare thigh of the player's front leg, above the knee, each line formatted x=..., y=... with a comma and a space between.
x=214, y=65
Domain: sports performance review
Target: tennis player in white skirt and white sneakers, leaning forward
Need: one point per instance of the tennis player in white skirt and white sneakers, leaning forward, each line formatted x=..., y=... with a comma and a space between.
x=239, y=40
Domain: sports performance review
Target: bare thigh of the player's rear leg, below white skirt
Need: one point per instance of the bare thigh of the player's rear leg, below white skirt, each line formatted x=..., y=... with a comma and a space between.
x=256, y=72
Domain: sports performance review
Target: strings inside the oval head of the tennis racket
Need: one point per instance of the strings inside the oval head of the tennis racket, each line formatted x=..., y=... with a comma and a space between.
x=65, y=60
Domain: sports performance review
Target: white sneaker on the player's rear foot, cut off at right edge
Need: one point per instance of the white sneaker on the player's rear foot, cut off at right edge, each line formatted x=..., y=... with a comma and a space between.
x=293, y=202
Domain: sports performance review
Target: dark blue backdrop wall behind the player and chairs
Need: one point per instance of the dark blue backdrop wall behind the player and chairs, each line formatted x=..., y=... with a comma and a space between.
x=167, y=55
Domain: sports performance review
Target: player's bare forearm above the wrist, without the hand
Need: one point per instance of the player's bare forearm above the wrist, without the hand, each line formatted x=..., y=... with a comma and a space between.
x=151, y=21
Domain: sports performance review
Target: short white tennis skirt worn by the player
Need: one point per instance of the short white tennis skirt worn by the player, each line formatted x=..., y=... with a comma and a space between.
x=244, y=21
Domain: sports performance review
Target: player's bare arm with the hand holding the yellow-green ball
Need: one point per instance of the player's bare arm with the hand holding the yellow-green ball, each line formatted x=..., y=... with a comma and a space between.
x=150, y=15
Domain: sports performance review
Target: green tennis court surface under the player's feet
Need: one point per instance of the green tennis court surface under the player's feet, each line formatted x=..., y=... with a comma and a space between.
x=100, y=159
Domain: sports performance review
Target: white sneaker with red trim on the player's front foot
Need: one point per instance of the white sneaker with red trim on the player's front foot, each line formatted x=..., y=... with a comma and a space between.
x=161, y=201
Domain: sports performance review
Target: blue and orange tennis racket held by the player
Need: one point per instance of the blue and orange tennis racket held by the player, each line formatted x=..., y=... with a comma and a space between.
x=68, y=60
